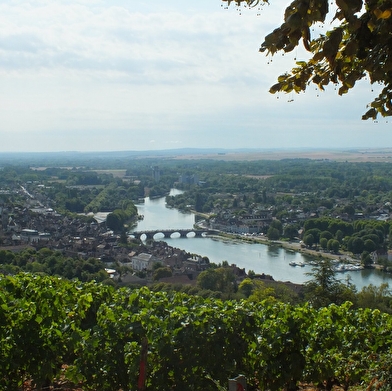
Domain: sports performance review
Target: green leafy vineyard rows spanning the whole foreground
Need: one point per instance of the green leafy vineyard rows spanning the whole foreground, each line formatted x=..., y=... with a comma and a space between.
x=94, y=337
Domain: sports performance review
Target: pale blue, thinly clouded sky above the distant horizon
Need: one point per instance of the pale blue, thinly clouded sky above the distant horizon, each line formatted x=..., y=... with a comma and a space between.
x=96, y=75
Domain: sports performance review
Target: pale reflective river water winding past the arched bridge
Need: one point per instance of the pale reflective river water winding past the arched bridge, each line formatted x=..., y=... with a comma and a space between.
x=261, y=258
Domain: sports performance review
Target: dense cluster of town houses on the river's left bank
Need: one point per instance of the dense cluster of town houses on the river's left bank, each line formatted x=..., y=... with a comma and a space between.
x=34, y=225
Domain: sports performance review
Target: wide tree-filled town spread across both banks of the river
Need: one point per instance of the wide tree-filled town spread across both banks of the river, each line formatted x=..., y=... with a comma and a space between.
x=328, y=208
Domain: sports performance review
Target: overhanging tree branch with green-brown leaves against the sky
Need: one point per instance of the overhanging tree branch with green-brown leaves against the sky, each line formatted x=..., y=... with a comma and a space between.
x=357, y=46
